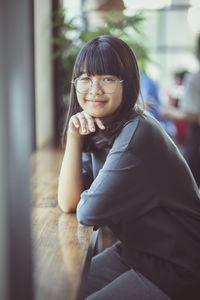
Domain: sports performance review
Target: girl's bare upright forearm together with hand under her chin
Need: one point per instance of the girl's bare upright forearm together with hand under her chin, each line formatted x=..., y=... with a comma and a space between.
x=71, y=180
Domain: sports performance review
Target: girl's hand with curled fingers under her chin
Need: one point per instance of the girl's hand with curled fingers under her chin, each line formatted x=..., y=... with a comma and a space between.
x=84, y=124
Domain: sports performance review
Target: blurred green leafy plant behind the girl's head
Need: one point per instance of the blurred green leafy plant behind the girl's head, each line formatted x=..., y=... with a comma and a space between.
x=70, y=38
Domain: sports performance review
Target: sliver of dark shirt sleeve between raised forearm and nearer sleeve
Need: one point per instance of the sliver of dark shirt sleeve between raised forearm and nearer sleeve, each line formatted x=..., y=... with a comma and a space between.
x=87, y=170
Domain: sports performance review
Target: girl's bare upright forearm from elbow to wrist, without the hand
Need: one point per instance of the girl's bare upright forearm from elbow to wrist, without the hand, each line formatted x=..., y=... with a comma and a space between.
x=70, y=180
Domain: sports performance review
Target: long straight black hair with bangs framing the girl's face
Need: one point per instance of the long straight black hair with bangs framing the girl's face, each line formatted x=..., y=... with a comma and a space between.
x=106, y=55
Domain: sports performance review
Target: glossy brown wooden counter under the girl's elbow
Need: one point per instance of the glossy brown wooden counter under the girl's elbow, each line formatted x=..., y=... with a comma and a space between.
x=62, y=248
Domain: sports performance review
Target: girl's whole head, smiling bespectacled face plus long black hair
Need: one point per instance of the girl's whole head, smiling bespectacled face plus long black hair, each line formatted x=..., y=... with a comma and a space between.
x=102, y=60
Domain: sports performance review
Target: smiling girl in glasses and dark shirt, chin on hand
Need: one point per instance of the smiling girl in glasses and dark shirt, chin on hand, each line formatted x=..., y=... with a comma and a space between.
x=121, y=169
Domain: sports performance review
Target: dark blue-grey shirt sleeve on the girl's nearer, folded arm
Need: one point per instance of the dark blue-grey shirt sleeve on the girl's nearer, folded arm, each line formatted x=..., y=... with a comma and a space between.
x=118, y=192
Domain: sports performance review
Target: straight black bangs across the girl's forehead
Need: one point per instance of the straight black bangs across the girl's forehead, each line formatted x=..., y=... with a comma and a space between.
x=99, y=60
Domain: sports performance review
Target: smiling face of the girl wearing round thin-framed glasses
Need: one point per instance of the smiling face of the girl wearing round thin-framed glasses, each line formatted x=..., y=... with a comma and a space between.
x=99, y=95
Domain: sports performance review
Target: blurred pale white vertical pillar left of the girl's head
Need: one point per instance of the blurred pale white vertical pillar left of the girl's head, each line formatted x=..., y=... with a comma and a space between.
x=43, y=72
